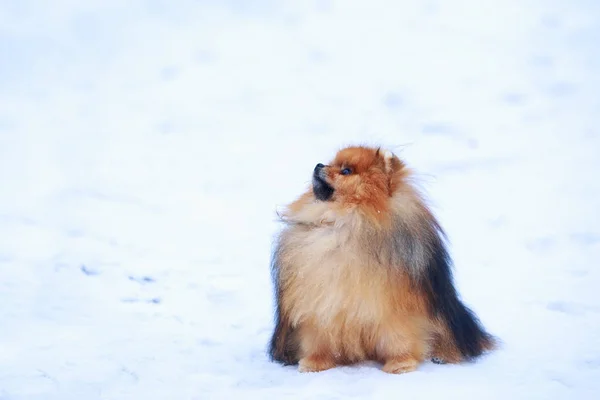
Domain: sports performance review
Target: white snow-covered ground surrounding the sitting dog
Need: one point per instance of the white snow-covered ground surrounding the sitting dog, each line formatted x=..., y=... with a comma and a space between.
x=145, y=145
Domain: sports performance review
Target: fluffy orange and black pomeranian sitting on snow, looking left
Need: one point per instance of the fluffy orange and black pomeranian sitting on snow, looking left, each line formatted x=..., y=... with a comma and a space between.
x=362, y=273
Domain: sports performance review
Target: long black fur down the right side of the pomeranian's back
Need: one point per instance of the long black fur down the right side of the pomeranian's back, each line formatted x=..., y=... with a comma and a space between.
x=470, y=337
